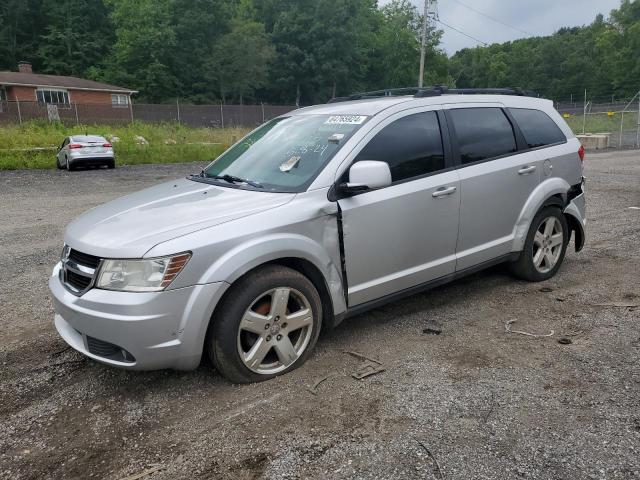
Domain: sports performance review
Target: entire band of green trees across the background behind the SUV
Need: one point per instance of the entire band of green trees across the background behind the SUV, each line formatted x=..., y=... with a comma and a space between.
x=303, y=51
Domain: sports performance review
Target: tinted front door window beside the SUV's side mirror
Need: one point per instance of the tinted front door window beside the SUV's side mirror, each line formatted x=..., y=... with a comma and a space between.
x=412, y=146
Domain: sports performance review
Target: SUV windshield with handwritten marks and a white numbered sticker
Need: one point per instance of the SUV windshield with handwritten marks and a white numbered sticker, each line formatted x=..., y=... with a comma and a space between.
x=284, y=154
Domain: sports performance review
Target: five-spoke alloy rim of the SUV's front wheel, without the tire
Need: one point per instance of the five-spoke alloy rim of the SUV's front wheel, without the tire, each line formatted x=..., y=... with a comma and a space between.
x=275, y=330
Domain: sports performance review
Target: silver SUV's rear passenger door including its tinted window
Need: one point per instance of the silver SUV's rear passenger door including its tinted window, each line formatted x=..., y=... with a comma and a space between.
x=496, y=179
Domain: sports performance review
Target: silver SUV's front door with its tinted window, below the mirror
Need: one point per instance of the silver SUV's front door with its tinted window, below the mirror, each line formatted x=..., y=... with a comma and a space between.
x=403, y=235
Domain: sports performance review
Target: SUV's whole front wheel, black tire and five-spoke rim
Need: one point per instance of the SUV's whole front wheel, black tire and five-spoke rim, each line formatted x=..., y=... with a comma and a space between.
x=252, y=338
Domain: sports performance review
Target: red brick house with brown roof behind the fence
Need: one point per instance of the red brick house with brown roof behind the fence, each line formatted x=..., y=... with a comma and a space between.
x=31, y=94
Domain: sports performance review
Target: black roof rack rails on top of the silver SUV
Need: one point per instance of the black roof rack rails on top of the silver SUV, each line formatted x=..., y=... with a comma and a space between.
x=434, y=91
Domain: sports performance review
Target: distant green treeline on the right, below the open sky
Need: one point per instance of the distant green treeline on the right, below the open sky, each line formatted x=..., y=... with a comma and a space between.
x=602, y=58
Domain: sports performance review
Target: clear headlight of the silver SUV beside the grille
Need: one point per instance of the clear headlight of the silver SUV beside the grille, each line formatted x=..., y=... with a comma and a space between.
x=148, y=275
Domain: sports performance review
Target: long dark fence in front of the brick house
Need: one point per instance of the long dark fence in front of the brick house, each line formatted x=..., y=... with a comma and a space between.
x=192, y=115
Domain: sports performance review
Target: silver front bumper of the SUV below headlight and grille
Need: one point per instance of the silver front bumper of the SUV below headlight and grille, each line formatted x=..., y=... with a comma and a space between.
x=138, y=331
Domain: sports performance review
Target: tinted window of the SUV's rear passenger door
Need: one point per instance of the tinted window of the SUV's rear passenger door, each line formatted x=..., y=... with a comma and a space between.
x=482, y=133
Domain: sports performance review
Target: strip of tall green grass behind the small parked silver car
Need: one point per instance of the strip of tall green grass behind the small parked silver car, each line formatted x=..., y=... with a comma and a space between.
x=168, y=143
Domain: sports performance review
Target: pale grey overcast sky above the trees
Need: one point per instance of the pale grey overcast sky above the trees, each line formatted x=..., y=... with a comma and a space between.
x=535, y=17
